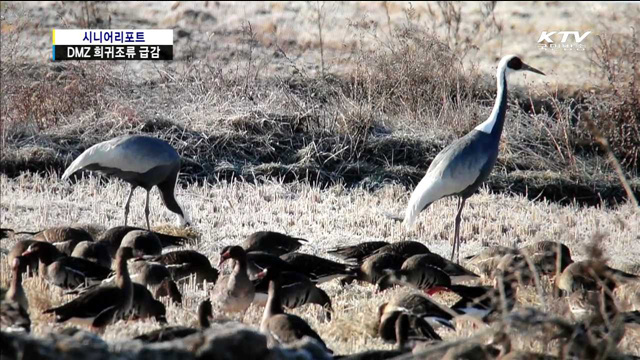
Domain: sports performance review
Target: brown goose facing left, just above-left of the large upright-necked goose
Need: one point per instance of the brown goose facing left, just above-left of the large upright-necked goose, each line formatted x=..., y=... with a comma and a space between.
x=65, y=271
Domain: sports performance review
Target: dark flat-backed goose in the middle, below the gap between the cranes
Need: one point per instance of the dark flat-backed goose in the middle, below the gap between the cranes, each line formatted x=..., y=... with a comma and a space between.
x=318, y=269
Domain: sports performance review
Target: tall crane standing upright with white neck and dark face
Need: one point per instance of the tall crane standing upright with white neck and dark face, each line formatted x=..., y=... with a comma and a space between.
x=460, y=168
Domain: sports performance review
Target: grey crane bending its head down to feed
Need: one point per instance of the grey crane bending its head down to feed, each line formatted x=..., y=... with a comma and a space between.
x=141, y=161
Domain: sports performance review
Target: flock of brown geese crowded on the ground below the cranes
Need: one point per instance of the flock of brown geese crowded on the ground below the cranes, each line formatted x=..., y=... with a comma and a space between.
x=269, y=271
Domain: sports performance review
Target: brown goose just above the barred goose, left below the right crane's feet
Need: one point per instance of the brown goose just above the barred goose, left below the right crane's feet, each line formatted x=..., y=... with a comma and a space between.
x=427, y=278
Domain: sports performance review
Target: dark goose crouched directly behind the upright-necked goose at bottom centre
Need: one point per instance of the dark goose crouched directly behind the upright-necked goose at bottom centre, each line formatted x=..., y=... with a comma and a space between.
x=296, y=290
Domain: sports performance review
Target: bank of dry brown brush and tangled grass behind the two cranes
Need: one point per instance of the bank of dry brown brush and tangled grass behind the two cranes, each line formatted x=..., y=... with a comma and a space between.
x=380, y=119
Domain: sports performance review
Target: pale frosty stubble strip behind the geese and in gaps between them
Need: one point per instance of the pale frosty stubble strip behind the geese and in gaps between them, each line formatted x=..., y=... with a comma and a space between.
x=227, y=212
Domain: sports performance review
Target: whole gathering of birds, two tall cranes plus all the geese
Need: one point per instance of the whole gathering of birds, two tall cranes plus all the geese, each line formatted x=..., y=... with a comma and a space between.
x=111, y=276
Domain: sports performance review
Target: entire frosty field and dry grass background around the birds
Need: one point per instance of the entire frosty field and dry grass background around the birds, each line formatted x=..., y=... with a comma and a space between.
x=314, y=119
